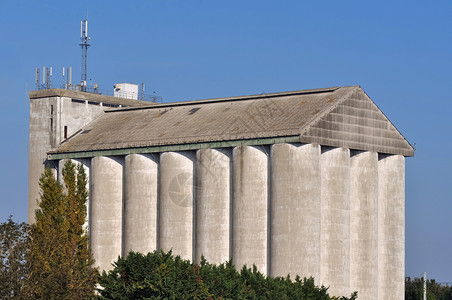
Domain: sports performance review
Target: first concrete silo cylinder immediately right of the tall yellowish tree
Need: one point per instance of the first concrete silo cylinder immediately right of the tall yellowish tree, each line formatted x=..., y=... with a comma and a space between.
x=106, y=210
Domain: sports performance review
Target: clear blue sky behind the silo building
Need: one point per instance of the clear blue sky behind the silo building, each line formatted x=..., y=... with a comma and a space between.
x=398, y=51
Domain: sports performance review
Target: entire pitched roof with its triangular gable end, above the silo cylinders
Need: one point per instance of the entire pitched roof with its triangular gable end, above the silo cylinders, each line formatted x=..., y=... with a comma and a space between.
x=340, y=117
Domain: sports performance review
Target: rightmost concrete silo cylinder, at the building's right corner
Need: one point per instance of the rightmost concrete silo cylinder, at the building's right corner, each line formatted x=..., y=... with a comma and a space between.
x=391, y=227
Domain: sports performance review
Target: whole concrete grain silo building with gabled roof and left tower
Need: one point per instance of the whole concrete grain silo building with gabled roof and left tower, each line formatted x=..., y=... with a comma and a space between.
x=308, y=182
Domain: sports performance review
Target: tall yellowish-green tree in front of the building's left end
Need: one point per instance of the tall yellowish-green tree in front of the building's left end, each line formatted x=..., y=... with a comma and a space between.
x=60, y=262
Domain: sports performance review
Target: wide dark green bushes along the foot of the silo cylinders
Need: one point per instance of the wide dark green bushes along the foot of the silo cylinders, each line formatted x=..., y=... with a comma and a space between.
x=160, y=275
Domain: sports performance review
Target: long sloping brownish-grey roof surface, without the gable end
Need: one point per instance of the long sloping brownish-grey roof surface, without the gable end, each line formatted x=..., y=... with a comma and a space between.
x=226, y=119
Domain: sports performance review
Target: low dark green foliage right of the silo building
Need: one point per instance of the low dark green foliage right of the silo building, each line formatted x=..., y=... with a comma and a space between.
x=414, y=290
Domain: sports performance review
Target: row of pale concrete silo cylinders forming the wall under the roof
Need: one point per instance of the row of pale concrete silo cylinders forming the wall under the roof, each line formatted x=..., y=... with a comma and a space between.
x=330, y=213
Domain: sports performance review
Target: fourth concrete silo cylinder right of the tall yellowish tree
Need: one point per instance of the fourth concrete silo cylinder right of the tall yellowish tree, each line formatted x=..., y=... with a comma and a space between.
x=213, y=202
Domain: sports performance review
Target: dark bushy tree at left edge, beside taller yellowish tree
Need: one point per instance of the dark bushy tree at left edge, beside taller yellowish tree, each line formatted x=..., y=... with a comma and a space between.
x=14, y=243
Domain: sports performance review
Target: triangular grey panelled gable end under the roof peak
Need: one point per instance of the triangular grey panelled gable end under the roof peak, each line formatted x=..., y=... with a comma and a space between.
x=355, y=122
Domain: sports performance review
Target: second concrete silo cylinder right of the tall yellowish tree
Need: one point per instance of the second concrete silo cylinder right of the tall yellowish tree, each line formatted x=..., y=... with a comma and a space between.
x=140, y=203
